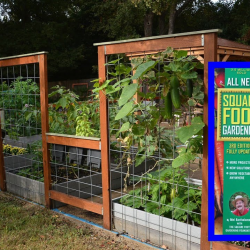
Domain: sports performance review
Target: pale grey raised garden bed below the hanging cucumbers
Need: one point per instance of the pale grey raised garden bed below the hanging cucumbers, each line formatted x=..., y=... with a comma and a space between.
x=155, y=229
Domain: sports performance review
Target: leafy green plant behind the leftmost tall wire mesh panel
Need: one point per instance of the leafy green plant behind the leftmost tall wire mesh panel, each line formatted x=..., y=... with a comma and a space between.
x=16, y=99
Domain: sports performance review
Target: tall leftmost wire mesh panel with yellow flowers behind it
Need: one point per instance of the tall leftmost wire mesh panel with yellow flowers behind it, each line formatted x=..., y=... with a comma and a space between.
x=21, y=130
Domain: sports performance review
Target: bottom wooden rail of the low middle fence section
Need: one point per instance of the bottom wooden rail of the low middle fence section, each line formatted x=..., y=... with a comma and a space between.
x=76, y=202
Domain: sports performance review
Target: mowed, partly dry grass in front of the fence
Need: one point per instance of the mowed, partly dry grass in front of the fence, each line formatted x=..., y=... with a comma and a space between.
x=26, y=226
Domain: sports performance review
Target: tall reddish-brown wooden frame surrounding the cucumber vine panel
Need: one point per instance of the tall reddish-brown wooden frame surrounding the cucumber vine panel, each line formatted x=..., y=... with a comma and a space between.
x=203, y=44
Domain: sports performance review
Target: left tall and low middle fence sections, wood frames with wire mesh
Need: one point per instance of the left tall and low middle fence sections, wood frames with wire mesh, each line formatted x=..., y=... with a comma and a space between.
x=59, y=156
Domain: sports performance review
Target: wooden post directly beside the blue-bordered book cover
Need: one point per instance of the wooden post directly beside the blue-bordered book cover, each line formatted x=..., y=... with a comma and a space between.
x=210, y=55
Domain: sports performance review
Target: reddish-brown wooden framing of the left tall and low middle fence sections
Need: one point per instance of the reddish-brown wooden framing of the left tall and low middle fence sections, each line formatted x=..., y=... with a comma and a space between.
x=47, y=138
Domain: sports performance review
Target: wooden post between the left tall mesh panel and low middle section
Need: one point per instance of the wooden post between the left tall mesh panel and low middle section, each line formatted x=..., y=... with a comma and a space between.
x=45, y=125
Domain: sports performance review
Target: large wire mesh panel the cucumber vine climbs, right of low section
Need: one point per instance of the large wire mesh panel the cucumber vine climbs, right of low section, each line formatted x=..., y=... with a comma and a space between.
x=151, y=200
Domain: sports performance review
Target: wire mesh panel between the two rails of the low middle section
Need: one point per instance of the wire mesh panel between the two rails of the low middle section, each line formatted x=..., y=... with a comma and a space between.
x=76, y=171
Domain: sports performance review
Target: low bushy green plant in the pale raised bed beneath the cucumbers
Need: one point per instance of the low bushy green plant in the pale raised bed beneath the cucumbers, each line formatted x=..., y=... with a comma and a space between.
x=168, y=194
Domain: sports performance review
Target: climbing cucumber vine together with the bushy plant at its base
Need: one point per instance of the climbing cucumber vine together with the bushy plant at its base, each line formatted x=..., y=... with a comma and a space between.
x=173, y=87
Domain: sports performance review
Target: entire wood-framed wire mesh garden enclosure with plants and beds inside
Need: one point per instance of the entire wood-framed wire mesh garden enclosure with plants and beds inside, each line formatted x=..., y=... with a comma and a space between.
x=137, y=188
